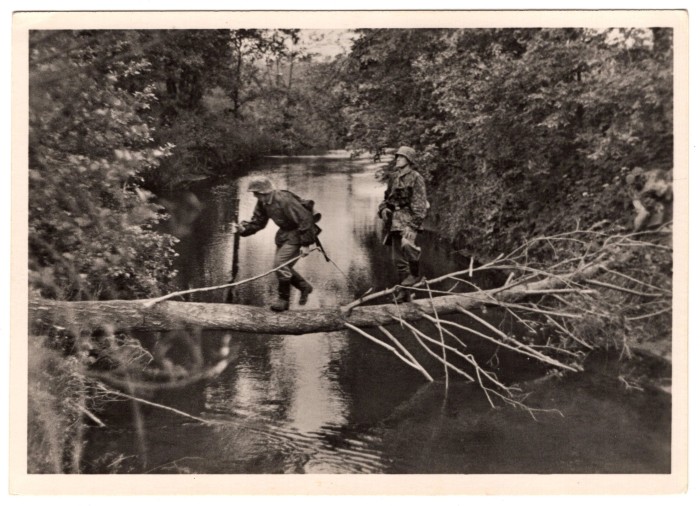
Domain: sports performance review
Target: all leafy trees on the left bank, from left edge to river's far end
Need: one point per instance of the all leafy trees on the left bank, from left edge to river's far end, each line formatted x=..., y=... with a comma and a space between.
x=113, y=113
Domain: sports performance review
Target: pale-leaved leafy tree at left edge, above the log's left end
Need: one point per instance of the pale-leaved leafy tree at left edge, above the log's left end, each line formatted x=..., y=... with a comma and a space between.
x=90, y=223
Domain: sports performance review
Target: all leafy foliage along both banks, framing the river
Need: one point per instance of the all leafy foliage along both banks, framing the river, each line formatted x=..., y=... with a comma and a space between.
x=521, y=133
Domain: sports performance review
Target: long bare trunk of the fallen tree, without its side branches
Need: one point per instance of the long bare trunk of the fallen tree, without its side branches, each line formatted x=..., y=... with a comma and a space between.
x=170, y=315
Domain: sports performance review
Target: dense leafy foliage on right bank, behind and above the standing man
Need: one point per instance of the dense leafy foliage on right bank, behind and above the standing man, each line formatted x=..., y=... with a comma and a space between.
x=523, y=131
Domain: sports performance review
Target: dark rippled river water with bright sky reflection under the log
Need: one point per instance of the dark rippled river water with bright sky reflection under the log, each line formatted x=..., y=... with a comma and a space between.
x=336, y=402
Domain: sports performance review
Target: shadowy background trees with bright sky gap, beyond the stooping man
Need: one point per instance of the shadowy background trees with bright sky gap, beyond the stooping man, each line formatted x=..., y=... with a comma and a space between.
x=226, y=97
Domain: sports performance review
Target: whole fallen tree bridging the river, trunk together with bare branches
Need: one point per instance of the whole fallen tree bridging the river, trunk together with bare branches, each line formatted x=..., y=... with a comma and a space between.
x=566, y=301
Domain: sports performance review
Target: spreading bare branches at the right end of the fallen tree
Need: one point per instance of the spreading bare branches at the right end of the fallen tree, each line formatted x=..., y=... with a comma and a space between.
x=556, y=298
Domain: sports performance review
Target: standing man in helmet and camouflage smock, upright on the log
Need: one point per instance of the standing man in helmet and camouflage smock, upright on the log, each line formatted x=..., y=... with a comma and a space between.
x=403, y=211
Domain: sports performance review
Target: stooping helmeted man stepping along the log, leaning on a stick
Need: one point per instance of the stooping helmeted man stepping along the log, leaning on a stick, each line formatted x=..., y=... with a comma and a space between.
x=297, y=232
